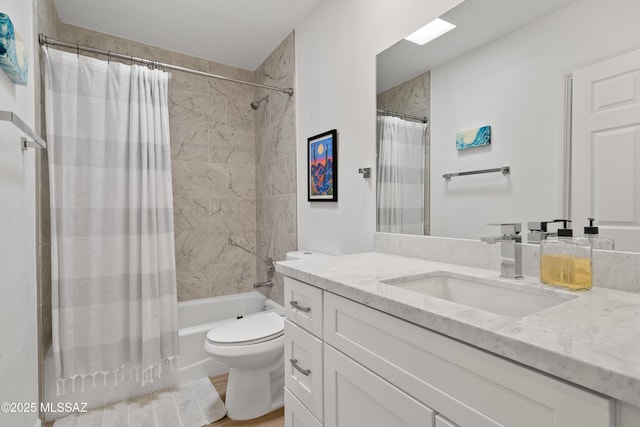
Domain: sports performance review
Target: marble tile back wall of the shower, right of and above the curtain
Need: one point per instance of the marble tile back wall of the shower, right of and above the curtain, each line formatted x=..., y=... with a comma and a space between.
x=213, y=167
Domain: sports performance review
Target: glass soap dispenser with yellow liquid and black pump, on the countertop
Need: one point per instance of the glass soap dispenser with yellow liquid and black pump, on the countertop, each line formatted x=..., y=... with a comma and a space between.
x=565, y=260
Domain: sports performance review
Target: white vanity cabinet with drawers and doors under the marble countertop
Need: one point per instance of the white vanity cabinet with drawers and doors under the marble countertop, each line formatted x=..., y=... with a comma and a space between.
x=378, y=370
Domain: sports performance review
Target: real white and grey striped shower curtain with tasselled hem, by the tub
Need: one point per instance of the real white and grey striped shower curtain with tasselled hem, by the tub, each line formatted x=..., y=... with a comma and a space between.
x=114, y=305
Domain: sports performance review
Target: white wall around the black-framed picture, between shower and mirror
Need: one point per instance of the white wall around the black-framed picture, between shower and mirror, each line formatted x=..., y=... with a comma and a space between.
x=335, y=84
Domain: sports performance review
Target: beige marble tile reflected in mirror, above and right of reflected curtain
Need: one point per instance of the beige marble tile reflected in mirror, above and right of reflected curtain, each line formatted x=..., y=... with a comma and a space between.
x=412, y=97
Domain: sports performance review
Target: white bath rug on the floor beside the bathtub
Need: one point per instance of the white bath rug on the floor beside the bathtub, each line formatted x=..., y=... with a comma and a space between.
x=194, y=404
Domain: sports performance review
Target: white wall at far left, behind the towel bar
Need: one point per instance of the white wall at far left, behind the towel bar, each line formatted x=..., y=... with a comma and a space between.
x=18, y=334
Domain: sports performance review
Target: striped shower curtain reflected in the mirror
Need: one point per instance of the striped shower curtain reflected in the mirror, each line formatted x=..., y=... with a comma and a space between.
x=400, y=175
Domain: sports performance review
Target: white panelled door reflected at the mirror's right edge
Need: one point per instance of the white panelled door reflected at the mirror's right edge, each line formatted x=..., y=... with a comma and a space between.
x=605, y=174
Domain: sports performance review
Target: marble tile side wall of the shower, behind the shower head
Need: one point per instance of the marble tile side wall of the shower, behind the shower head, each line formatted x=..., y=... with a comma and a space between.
x=276, y=163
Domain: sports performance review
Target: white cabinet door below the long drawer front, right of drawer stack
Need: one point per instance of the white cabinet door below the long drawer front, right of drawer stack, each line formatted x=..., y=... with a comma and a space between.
x=355, y=396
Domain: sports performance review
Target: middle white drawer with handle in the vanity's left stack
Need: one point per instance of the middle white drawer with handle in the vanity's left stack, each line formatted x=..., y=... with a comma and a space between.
x=303, y=367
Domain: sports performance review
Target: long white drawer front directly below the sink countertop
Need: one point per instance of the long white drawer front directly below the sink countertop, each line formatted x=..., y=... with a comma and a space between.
x=468, y=386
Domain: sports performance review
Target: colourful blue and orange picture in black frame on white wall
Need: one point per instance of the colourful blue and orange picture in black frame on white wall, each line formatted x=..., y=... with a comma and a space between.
x=322, y=167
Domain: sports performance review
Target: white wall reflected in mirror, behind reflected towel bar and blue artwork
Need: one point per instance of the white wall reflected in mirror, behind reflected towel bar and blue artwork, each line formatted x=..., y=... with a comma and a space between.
x=516, y=85
